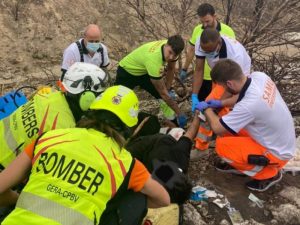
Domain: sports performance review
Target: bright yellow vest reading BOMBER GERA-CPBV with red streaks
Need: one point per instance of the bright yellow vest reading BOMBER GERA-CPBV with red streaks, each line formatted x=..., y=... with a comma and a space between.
x=83, y=163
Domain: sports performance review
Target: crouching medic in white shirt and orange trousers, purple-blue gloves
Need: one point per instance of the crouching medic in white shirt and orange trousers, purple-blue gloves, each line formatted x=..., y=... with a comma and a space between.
x=257, y=137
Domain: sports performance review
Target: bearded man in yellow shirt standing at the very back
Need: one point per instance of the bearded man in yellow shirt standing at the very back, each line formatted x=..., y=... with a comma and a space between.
x=208, y=19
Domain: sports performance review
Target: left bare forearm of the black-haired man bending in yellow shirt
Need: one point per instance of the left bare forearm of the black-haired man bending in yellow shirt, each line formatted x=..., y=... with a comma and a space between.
x=163, y=92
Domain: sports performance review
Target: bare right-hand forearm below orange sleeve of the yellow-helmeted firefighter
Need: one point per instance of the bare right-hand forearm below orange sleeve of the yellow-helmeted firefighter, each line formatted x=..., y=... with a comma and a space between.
x=156, y=193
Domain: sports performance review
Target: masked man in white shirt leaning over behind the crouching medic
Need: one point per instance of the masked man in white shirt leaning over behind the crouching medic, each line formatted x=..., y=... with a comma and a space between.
x=213, y=46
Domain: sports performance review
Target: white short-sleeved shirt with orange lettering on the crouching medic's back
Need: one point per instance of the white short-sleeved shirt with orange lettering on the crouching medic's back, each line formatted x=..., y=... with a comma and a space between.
x=264, y=114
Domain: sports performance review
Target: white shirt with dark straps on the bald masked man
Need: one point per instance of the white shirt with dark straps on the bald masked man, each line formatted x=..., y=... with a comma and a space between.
x=72, y=55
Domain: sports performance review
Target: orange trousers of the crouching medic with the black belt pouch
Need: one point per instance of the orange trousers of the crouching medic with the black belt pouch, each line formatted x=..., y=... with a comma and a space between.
x=235, y=150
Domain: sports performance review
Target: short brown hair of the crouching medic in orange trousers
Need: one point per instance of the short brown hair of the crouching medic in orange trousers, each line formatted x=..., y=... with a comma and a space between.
x=224, y=70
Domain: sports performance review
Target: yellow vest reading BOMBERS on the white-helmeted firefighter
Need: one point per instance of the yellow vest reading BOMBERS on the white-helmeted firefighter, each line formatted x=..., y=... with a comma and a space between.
x=42, y=113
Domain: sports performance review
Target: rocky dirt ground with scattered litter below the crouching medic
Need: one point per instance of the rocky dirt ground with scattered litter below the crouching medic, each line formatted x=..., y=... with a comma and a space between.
x=280, y=206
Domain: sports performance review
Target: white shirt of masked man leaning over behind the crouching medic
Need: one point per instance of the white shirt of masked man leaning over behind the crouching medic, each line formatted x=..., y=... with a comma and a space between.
x=230, y=49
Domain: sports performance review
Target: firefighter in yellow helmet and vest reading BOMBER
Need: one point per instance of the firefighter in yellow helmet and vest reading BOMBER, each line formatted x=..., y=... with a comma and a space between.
x=75, y=172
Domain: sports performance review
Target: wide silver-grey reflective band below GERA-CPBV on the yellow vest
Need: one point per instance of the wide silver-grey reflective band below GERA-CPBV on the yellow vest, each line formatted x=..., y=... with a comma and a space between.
x=51, y=210
